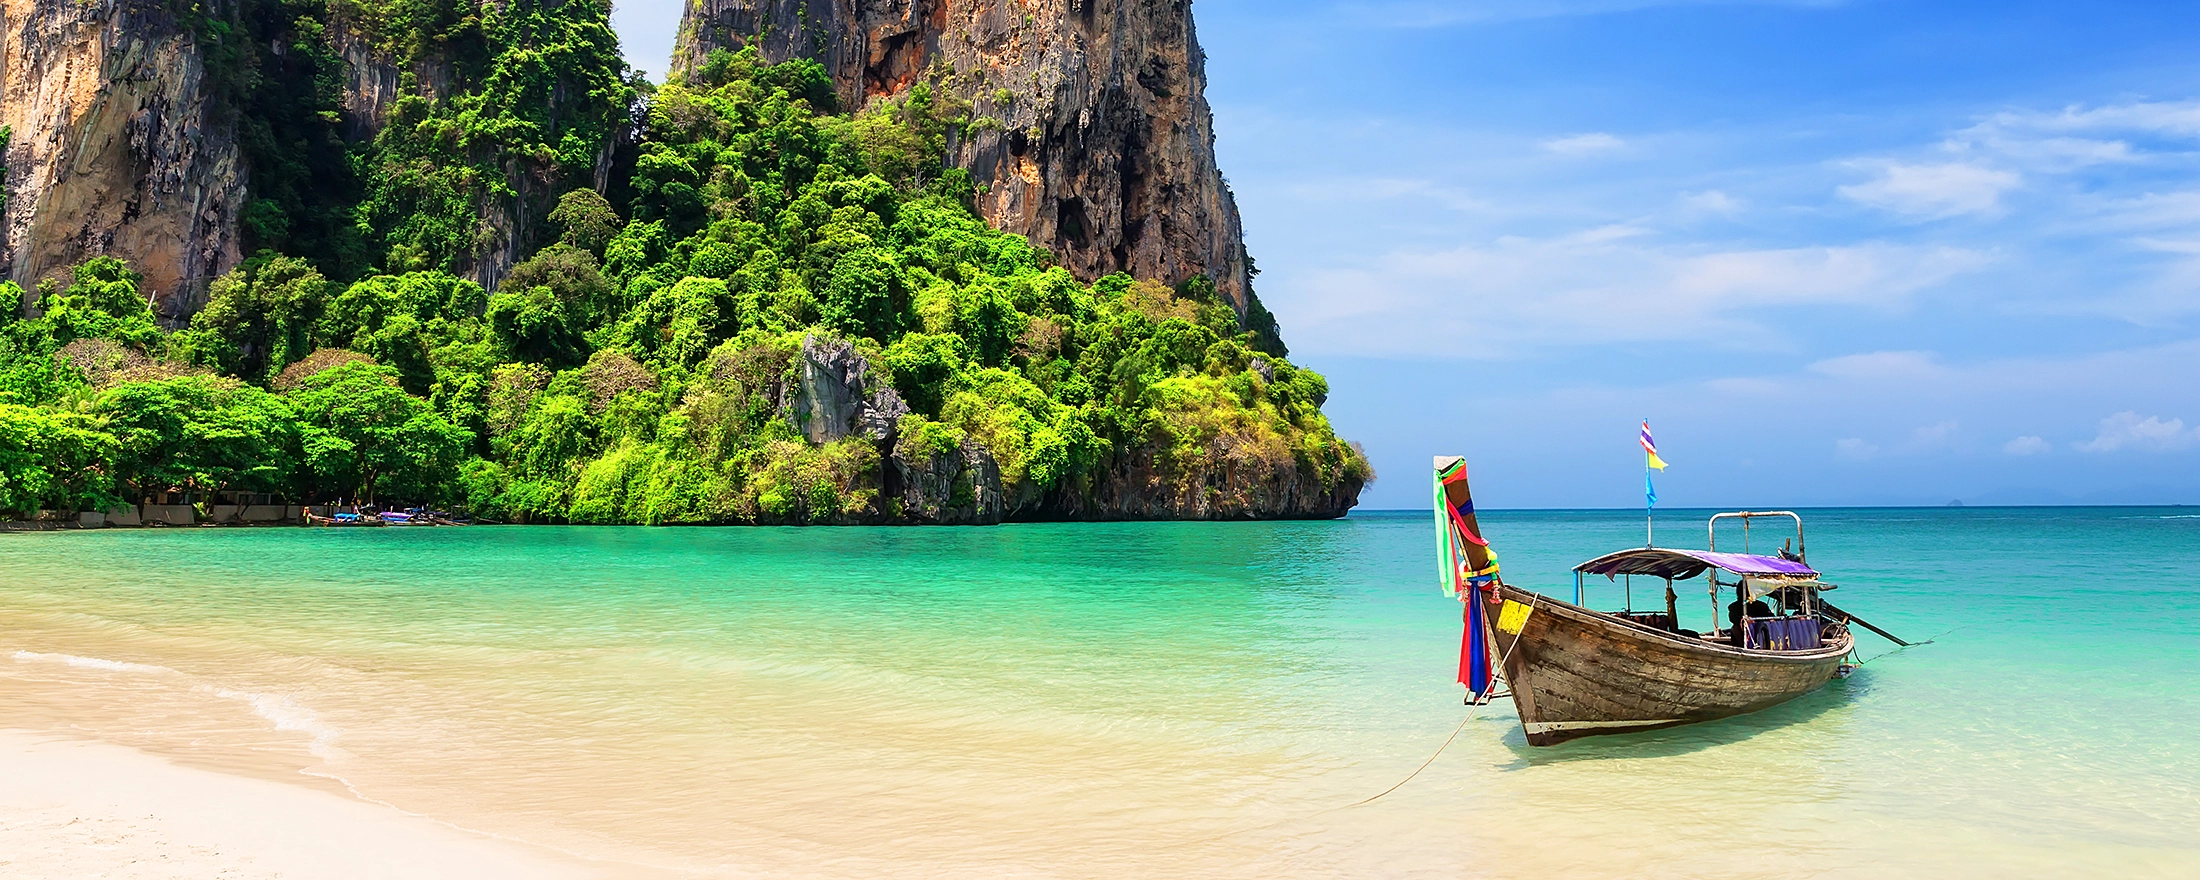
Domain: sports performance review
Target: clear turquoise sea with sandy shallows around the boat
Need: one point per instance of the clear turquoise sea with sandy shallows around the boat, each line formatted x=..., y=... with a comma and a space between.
x=1127, y=698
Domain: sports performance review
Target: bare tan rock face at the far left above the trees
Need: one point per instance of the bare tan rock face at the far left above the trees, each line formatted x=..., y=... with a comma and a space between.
x=118, y=148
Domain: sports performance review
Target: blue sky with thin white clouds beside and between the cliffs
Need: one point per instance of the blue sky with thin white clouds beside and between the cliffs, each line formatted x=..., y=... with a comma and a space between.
x=1836, y=252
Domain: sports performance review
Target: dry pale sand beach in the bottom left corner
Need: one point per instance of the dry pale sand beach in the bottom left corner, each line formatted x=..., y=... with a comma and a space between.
x=96, y=811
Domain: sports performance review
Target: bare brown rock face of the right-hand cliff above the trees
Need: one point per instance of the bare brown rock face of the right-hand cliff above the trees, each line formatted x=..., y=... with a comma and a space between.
x=1092, y=133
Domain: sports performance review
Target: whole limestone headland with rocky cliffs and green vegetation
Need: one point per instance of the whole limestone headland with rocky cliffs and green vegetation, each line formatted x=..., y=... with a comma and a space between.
x=507, y=276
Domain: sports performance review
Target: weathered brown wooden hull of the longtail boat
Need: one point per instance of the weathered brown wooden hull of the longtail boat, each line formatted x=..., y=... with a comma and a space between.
x=1581, y=674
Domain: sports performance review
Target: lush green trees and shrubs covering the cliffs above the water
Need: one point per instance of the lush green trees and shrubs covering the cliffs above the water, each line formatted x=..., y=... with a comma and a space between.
x=745, y=309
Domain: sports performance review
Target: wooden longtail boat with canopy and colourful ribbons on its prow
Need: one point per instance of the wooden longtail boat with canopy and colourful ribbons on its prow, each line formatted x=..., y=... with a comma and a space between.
x=1578, y=674
